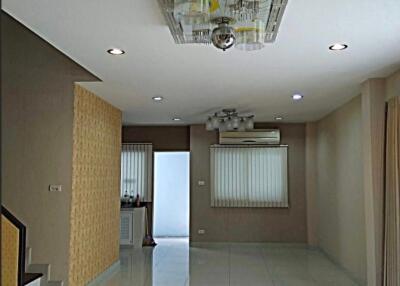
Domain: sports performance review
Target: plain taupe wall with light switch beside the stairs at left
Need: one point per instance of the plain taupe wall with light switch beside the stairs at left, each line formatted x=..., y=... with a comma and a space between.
x=37, y=112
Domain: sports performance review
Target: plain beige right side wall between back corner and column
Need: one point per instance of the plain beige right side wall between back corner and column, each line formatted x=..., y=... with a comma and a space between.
x=340, y=200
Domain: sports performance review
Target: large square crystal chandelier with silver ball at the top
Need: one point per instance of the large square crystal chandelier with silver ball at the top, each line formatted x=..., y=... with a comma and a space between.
x=244, y=24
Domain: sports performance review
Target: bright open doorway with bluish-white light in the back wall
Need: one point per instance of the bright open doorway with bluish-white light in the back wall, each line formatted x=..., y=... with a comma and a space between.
x=171, y=194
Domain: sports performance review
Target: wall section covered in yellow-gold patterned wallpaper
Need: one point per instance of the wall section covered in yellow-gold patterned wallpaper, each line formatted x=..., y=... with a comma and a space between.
x=94, y=243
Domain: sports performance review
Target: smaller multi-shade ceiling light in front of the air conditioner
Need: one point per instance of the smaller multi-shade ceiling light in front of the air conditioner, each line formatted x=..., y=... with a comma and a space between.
x=229, y=120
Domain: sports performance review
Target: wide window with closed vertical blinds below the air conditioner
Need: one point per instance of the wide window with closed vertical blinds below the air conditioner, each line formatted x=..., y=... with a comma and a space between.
x=249, y=176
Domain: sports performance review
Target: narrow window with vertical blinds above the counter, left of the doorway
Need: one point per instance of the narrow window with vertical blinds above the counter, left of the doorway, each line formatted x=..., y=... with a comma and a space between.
x=137, y=170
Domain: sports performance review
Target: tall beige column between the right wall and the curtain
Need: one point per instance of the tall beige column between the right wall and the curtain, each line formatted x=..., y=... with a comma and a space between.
x=373, y=134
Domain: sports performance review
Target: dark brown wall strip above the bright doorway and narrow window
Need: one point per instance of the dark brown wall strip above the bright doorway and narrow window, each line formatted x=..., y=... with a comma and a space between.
x=164, y=138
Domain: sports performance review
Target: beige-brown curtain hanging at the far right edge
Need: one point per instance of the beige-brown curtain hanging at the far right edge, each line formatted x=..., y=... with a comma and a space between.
x=392, y=196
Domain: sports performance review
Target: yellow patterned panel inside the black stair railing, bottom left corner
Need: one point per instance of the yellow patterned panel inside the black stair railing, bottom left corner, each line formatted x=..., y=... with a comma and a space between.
x=9, y=253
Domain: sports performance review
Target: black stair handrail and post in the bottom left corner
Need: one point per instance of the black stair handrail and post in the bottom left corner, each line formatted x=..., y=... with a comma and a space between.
x=22, y=243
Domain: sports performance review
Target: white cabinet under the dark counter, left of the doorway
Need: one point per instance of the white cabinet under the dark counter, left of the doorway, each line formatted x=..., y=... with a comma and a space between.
x=132, y=228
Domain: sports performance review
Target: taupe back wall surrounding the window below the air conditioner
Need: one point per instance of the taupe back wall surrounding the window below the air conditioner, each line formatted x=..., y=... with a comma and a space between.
x=247, y=224
